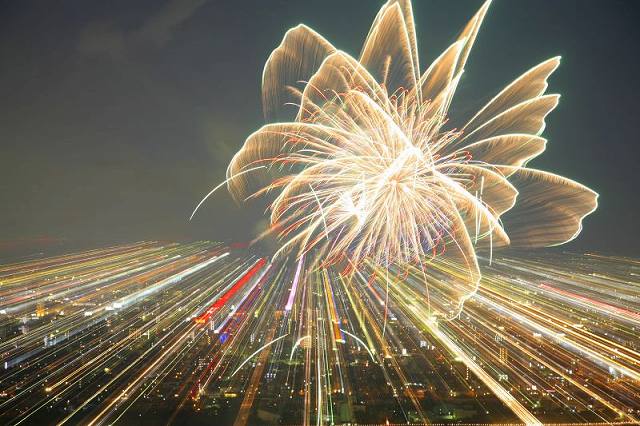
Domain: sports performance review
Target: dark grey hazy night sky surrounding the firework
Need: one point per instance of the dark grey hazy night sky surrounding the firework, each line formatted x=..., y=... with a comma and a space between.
x=117, y=117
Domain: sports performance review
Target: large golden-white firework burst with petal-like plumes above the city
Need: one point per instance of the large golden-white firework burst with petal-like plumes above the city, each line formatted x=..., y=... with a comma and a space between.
x=362, y=165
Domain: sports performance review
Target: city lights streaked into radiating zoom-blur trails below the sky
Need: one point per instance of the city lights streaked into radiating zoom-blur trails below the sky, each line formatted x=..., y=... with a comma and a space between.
x=111, y=336
